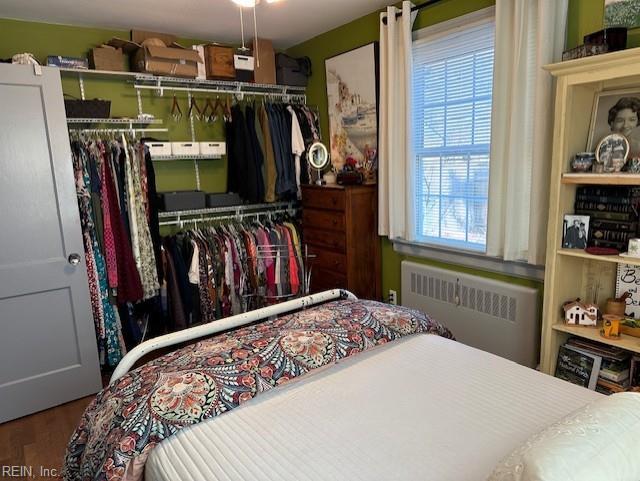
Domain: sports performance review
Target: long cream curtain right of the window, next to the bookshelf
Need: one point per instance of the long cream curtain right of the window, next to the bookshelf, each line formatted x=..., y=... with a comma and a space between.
x=529, y=34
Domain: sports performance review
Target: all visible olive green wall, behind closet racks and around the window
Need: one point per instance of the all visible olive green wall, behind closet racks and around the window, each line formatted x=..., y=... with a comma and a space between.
x=43, y=39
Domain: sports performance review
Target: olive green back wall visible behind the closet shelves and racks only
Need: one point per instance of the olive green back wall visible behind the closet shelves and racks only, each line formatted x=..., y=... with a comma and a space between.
x=43, y=39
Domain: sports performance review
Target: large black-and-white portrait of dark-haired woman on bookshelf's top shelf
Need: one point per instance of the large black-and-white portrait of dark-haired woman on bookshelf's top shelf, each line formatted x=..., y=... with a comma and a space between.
x=616, y=112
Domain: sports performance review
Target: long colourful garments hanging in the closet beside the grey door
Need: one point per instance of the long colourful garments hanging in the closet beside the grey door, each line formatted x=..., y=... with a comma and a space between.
x=115, y=183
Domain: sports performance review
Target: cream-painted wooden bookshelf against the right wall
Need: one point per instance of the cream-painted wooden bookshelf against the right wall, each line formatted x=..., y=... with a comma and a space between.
x=572, y=273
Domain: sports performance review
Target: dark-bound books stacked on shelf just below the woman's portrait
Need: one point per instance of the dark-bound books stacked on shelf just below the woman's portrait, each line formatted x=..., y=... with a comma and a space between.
x=614, y=214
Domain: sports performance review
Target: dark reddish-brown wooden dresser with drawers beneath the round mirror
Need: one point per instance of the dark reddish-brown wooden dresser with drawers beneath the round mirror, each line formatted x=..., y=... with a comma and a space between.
x=340, y=228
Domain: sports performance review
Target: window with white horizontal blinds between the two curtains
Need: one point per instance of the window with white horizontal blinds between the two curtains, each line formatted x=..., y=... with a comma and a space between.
x=452, y=93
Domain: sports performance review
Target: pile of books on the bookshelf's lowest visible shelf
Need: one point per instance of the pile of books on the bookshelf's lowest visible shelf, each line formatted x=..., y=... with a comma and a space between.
x=606, y=369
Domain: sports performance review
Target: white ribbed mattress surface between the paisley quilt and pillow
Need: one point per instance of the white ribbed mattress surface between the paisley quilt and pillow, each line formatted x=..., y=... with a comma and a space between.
x=424, y=408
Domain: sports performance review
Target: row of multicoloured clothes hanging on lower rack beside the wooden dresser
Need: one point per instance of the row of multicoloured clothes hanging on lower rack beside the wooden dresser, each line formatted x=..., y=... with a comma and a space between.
x=233, y=268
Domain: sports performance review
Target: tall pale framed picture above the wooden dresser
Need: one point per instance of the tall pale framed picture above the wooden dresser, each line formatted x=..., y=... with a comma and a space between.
x=352, y=94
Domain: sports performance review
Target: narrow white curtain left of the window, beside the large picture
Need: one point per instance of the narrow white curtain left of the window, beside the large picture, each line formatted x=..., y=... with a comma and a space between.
x=395, y=166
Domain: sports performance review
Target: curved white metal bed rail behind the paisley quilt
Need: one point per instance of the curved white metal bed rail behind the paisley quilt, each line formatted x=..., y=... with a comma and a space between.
x=214, y=327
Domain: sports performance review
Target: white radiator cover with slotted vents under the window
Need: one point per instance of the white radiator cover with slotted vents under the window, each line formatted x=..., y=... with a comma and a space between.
x=490, y=315
